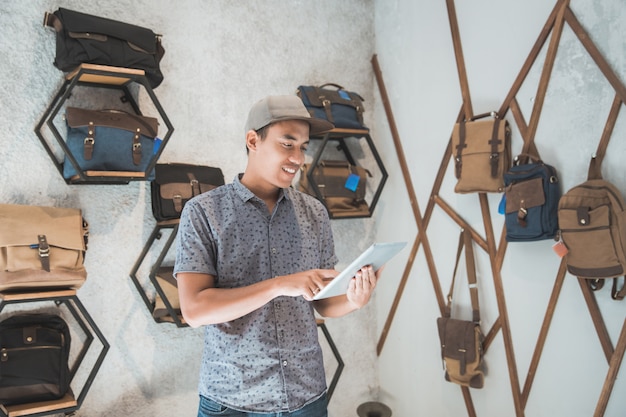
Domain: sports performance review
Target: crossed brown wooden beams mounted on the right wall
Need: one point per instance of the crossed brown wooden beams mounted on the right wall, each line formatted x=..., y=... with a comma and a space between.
x=552, y=30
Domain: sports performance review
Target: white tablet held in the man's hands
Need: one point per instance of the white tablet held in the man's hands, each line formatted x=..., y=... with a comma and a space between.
x=376, y=255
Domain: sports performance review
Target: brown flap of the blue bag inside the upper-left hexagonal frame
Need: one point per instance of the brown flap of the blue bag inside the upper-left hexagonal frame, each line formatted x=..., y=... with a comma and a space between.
x=77, y=117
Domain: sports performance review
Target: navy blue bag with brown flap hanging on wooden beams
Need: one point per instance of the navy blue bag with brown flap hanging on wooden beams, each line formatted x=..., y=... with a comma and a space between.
x=532, y=193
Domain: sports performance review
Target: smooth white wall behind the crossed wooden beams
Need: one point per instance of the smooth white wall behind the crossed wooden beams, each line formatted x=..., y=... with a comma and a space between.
x=415, y=51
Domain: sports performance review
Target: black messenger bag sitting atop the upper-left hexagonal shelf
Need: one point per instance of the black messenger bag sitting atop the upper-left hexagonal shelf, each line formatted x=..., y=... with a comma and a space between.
x=87, y=39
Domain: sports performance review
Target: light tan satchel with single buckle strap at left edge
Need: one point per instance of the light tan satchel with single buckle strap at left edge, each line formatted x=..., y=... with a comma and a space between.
x=41, y=247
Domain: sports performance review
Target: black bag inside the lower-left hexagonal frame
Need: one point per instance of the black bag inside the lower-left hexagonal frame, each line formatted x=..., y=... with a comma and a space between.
x=34, y=355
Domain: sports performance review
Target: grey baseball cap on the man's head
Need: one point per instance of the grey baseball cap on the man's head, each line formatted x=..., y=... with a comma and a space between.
x=273, y=109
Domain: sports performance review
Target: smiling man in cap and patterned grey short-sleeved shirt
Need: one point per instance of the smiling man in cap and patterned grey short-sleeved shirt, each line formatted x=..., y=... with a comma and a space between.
x=251, y=255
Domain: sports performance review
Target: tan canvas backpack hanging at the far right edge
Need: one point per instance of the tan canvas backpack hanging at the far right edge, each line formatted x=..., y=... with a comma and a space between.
x=592, y=222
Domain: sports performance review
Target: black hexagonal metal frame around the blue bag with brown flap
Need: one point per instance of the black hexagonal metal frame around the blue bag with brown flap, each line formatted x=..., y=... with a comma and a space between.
x=64, y=93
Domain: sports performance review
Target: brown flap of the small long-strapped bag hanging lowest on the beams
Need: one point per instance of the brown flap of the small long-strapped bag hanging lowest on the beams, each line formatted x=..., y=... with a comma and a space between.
x=458, y=338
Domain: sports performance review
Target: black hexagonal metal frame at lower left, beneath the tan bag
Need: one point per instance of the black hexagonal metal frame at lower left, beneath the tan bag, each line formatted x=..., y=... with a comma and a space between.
x=88, y=326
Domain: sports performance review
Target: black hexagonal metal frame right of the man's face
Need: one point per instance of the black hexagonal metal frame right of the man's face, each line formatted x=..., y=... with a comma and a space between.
x=340, y=135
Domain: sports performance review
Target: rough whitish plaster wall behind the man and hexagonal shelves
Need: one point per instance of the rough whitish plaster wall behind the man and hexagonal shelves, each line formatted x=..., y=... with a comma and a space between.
x=221, y=56
